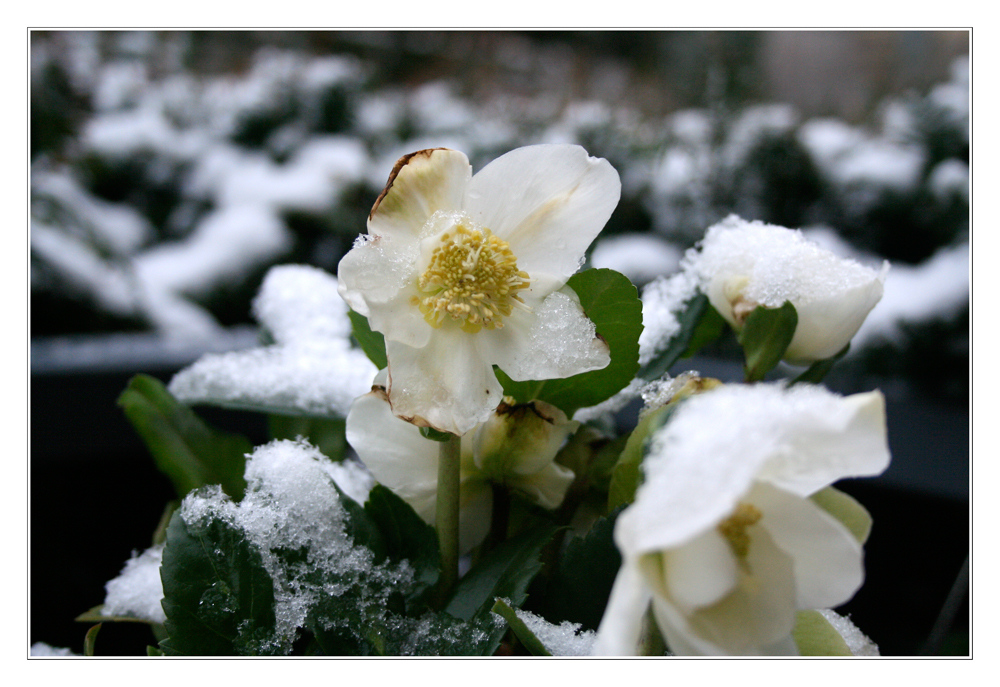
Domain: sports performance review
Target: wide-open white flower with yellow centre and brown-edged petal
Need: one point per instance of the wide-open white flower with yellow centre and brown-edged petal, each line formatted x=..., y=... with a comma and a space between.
x=463, y=272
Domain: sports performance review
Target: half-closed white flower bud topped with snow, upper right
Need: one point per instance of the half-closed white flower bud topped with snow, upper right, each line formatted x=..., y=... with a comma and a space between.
x=745, y=264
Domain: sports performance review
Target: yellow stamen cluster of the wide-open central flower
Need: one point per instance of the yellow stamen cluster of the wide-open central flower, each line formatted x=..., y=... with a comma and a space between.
x=472, y=278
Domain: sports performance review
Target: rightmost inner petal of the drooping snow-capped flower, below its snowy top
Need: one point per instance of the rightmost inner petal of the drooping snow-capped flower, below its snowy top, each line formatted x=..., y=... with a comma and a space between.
x=827, y=559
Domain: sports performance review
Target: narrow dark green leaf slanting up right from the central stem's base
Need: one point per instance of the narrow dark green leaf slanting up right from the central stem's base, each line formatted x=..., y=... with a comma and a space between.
x=505, y=572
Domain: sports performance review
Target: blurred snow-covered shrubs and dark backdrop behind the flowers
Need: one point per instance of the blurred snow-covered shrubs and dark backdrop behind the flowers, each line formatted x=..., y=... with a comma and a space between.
x=171, y=170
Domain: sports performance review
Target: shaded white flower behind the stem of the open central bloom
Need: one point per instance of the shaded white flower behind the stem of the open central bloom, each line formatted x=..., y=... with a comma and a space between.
x=515, y=447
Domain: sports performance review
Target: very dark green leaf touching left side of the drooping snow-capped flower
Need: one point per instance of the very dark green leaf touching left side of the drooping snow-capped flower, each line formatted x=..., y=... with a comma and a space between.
x=580, y=587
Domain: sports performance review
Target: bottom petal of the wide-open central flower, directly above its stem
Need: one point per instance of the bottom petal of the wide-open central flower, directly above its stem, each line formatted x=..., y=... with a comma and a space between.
x=446, y=385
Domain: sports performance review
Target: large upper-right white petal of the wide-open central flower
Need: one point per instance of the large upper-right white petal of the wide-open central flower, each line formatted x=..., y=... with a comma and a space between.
x=548, y=201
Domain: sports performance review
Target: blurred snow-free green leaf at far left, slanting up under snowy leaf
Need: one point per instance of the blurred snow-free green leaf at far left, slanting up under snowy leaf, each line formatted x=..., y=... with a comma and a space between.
x=187, y=450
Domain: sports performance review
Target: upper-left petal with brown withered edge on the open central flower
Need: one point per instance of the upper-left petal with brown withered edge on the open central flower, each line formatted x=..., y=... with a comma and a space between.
x=420, y=184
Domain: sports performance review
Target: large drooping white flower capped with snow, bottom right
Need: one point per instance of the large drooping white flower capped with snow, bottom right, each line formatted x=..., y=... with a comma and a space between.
x=722, y=541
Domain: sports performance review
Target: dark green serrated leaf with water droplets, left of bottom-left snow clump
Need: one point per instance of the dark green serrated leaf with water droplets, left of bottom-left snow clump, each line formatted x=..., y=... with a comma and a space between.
x=217, y=596
